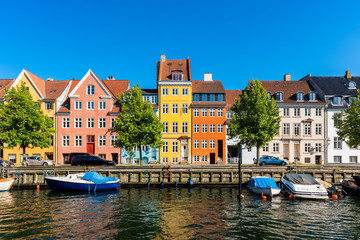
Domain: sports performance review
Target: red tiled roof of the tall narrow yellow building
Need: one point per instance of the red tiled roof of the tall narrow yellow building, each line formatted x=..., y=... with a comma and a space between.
x=165, y=68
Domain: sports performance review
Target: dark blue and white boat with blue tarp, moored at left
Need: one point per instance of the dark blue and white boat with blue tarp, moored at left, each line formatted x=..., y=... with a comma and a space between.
x=90, y=181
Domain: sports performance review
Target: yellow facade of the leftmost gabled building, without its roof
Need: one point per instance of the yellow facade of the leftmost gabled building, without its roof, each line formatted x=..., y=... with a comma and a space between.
x=16, y=154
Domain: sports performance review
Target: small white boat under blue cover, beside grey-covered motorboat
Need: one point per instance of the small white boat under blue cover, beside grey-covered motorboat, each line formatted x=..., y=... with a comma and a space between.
x=264, y=186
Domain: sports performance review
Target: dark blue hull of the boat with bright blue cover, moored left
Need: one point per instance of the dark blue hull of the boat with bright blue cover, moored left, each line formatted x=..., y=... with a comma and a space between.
x=80, y=186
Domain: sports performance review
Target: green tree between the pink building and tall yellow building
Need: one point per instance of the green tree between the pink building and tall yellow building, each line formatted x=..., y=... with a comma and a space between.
x=137, y=124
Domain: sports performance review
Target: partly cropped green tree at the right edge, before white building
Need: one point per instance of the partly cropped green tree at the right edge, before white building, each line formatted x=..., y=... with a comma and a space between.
x=348, y=123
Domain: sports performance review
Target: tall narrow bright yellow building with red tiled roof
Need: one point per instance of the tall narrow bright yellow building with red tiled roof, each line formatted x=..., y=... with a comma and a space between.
x=175, y=95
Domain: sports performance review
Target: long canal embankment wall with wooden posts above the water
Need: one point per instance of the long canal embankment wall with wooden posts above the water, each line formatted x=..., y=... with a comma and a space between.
x=30, y=177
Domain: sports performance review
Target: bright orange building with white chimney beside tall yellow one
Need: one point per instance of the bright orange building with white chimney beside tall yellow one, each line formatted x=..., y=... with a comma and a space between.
x=208, y=118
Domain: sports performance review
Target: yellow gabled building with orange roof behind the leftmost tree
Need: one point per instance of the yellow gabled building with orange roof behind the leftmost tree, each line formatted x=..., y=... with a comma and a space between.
x=51, y=95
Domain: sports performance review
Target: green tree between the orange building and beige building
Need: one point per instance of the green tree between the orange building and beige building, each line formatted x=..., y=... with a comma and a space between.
x=255, y=118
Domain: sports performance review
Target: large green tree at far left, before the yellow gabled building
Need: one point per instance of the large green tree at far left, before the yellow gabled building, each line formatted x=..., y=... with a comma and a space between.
x=22, y=122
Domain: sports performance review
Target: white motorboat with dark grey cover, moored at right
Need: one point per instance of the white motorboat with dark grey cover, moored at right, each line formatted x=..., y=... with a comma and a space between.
x=303, y=186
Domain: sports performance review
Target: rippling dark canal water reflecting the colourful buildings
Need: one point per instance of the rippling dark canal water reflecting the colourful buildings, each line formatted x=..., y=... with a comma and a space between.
x=169, y=213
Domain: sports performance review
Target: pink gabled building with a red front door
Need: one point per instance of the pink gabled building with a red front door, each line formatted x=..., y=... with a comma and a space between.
x=87, y=115
